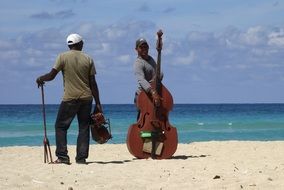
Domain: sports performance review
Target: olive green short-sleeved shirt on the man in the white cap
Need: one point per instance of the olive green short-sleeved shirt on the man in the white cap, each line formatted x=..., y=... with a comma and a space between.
x=76, y=68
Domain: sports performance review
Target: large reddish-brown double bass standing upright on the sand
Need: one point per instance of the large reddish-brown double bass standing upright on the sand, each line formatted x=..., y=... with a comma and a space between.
x=153, y=136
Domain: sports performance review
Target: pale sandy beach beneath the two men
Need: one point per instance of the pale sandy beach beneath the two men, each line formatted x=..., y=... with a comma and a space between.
x=200, y=165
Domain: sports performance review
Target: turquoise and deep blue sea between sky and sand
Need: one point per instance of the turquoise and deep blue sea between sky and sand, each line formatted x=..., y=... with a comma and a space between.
x=23, y=124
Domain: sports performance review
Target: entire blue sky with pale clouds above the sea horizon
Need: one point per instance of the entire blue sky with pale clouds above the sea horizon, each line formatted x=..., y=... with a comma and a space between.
x=223, y=51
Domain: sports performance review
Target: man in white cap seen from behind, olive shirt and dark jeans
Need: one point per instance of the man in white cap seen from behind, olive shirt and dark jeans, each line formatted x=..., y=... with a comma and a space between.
x=80, y=87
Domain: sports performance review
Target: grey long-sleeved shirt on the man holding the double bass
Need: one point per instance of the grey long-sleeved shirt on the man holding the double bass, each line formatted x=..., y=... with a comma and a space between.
x=144, y=71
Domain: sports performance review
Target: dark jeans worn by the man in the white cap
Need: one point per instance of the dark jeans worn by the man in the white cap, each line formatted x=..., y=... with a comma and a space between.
x=66, y=113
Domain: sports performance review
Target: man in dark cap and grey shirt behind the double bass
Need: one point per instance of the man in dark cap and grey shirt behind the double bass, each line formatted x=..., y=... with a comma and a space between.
x=145, y=71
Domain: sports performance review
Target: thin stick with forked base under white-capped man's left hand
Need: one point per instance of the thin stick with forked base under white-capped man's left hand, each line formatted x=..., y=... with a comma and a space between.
x=47, y=152
